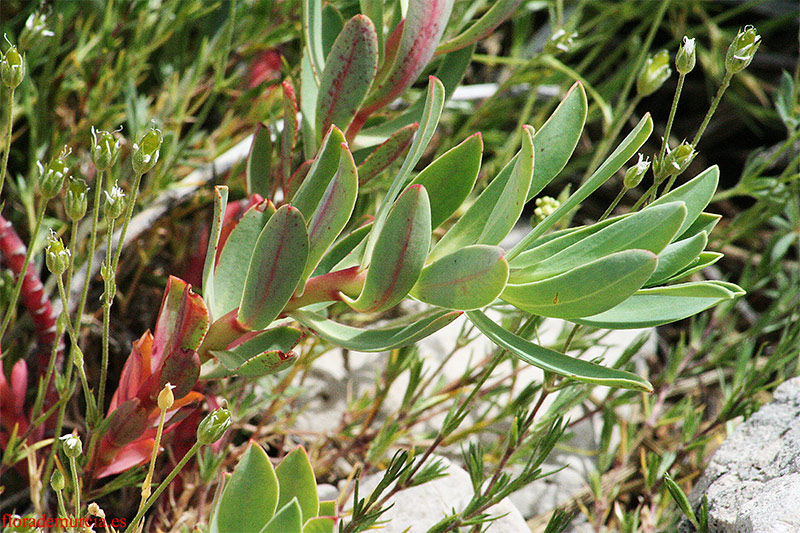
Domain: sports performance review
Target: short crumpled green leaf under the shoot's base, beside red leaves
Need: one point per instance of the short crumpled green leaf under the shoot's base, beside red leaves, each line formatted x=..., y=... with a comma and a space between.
x=271, y=347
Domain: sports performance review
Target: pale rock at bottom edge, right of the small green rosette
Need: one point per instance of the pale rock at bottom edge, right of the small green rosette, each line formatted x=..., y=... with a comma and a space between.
x=416, y=509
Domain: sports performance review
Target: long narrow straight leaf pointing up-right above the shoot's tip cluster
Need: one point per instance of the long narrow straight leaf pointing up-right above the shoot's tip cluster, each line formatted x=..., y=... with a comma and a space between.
x=626, y=149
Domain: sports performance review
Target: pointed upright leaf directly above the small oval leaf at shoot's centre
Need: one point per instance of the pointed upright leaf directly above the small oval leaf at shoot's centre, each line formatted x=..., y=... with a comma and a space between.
x=497, y=209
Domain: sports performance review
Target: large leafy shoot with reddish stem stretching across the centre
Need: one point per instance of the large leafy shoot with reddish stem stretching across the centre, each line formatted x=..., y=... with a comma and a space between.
x=290, y=263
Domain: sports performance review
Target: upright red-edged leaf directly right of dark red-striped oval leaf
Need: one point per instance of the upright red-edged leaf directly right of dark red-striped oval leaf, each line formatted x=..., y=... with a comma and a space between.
x=333, y=212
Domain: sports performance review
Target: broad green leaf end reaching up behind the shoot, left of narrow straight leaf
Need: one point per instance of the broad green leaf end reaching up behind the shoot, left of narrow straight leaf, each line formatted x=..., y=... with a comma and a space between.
x=557, y=138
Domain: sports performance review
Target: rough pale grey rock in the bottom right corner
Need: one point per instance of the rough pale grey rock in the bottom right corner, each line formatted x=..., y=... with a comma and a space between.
x=753, y=480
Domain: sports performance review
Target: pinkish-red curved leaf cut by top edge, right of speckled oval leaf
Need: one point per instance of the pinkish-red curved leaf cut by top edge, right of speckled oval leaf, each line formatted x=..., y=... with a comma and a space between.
x=423, y=27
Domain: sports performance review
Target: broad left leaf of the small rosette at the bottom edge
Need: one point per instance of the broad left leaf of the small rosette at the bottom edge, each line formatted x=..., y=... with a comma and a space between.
x=254, y=487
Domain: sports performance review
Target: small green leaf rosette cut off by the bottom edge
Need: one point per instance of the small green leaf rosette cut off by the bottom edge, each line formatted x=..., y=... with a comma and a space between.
x=259, y=498
